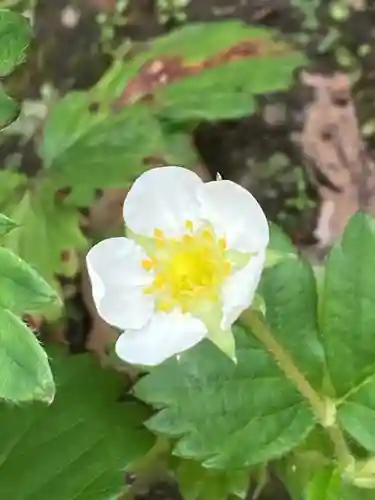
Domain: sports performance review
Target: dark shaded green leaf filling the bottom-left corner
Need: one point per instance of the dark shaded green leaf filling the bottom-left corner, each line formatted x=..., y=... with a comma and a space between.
x=80, y=446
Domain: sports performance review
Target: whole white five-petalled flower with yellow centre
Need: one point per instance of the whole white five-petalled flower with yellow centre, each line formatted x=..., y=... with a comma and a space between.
x=188, y=268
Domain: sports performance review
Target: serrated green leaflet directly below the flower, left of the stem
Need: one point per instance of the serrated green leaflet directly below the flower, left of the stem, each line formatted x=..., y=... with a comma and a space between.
x=222, y=413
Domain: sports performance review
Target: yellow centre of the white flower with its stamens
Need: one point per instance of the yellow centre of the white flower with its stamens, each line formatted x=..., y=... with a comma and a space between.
x=187, y=270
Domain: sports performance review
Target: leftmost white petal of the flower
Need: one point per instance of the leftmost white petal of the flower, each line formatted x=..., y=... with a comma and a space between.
x=117, y=280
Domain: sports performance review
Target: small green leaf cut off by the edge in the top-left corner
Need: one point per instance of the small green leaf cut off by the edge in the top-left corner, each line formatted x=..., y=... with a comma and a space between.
x=14, y=39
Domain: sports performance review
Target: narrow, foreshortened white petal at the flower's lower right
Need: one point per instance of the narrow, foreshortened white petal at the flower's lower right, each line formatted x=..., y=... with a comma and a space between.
x=239, y=289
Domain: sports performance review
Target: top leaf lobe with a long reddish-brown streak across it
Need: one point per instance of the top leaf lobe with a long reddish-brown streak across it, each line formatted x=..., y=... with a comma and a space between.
x=210, y=71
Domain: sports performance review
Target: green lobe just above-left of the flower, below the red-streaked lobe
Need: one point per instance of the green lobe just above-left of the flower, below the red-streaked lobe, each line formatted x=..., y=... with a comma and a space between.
x=108, y=149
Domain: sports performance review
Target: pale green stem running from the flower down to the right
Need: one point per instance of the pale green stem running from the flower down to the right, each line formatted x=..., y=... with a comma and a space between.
x=286, y=364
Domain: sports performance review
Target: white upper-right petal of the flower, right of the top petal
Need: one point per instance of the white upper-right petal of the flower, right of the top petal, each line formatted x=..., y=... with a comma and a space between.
x=235, y=214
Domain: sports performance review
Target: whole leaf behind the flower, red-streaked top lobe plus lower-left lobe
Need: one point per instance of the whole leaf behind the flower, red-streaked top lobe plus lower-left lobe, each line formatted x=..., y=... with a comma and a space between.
x=111, y=134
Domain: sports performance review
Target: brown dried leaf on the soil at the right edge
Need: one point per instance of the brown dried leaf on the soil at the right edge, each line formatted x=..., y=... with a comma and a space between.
x=336, y=155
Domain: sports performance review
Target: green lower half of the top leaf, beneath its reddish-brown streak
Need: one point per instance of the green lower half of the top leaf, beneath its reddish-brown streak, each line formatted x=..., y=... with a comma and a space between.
x=229, y=89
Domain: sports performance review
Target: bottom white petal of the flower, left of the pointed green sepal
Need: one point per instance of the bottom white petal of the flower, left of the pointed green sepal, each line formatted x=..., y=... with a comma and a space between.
x=165, y=335
